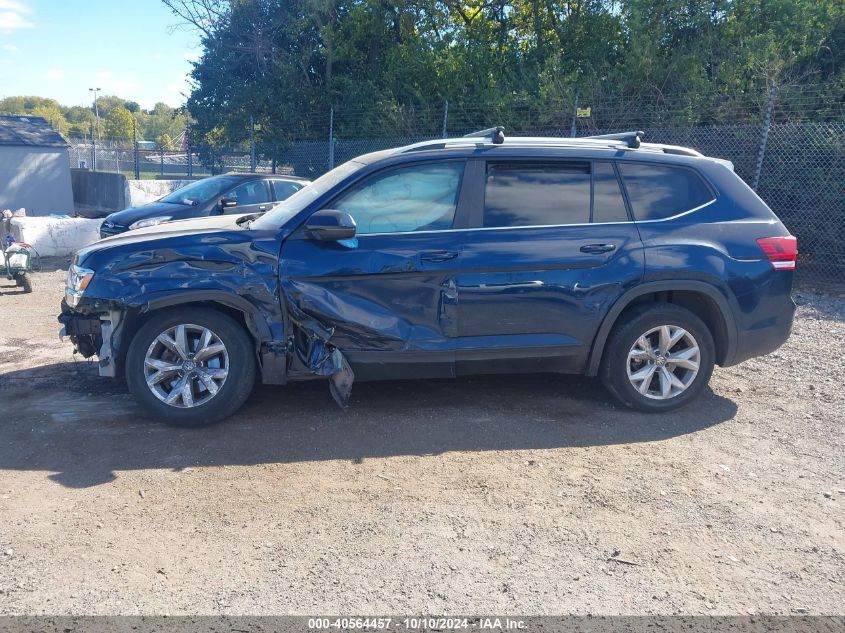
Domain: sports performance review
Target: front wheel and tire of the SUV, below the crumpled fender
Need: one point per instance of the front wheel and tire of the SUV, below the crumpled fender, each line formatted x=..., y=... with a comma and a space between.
x=226, y=363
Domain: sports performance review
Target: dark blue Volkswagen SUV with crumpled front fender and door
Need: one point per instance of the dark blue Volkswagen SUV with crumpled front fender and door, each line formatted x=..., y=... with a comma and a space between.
x=642, y=264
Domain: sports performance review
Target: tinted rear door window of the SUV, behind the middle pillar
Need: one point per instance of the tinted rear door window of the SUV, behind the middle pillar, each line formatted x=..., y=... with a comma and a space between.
x=537, y=194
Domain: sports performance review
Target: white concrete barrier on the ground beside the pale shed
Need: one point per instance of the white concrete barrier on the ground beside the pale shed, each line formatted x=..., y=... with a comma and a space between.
x=56, y=237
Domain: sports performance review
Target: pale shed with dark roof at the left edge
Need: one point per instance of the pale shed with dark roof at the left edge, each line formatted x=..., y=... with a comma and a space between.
x=34, y=167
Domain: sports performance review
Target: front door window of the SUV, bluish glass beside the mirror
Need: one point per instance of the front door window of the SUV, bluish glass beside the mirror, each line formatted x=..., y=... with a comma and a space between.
x=416, y=198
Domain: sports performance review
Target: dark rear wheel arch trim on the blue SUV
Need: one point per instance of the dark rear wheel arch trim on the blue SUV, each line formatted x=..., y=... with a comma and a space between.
x=700, y=297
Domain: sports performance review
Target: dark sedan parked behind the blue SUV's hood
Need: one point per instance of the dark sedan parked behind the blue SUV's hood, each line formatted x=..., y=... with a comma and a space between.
x=229, y=193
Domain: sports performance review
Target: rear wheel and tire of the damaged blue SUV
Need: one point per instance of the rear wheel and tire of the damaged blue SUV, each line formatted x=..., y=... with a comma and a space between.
x=635, y=347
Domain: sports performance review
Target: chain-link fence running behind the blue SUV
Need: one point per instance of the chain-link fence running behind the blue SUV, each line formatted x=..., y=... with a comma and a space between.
x=788, y=145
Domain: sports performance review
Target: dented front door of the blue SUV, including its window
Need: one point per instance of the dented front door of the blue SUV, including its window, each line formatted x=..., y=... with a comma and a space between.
x=387, y=299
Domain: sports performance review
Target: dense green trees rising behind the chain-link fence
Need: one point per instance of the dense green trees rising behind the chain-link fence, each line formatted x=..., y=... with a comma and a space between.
x=386, y=66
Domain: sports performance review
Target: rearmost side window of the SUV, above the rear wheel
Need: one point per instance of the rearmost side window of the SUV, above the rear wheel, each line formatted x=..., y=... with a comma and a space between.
x=661, y=191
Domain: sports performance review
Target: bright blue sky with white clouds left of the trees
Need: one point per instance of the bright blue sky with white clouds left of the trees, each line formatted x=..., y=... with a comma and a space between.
x=60, y=48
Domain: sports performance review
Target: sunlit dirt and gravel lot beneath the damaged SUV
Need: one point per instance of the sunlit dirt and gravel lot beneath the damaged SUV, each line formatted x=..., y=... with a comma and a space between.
x=521, y=495
